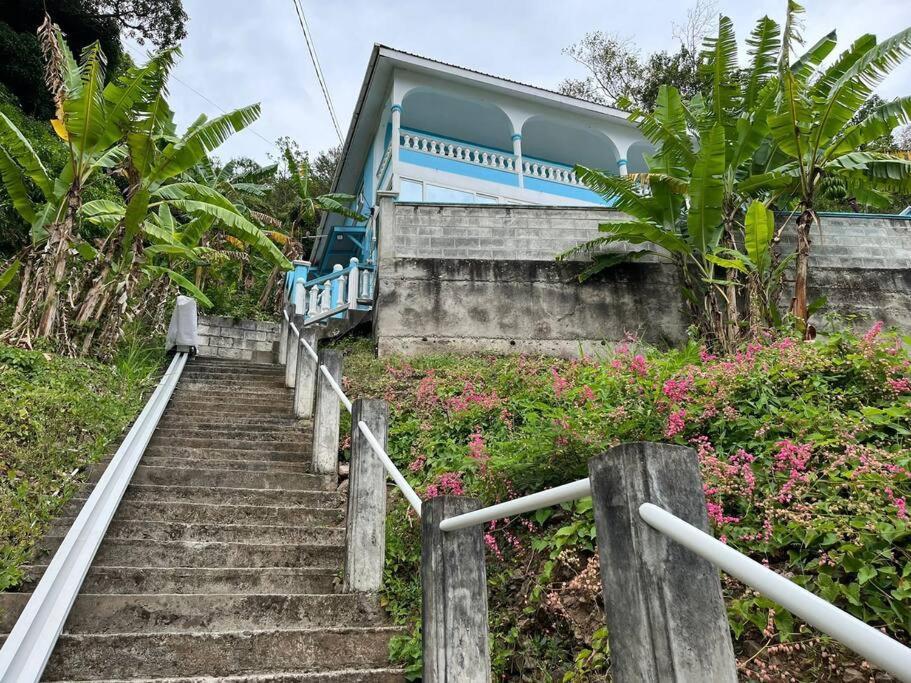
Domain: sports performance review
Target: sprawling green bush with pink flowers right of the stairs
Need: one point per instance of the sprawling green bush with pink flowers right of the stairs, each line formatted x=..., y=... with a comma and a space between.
x=804, y=450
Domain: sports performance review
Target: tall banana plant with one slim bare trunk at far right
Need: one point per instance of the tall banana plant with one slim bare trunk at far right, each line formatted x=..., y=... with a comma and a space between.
x=815, y=139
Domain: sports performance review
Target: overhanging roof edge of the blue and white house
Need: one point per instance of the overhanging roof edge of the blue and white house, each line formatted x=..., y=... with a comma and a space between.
x=370, y=101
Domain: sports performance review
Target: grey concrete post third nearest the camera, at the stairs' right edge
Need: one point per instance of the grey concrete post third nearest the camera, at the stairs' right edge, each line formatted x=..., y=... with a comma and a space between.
x=366, y=519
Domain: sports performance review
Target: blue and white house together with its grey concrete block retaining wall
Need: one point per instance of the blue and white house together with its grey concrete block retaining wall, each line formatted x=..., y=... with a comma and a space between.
x=466, y=182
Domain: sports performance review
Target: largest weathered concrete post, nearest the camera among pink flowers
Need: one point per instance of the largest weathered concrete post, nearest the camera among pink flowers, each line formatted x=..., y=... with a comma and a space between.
x=664, y=609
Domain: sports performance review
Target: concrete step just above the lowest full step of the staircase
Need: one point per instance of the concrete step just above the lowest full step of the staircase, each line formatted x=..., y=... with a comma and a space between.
x=162, y=613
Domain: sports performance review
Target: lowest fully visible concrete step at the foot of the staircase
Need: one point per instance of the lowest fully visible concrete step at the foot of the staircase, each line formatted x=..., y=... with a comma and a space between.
x=218, y=654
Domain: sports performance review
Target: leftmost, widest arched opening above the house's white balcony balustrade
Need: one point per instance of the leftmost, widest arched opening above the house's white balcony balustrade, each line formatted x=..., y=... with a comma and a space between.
x=481, y=123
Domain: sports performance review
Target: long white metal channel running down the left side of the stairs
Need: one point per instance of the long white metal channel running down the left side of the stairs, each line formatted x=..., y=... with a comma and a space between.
x=30, y=643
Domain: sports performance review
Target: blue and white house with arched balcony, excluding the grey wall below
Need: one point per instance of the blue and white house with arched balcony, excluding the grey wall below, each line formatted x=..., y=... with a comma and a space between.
x=431, y=132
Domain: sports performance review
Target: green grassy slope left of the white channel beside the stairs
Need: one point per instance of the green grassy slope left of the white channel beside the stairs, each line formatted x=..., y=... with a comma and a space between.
x=57, y=416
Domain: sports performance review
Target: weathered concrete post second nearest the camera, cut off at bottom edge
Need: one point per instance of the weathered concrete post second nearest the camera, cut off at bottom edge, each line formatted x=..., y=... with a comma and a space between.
x=454, y=579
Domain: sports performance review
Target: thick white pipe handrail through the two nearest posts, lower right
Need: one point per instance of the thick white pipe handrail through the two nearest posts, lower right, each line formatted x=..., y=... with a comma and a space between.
x=873, y=645
